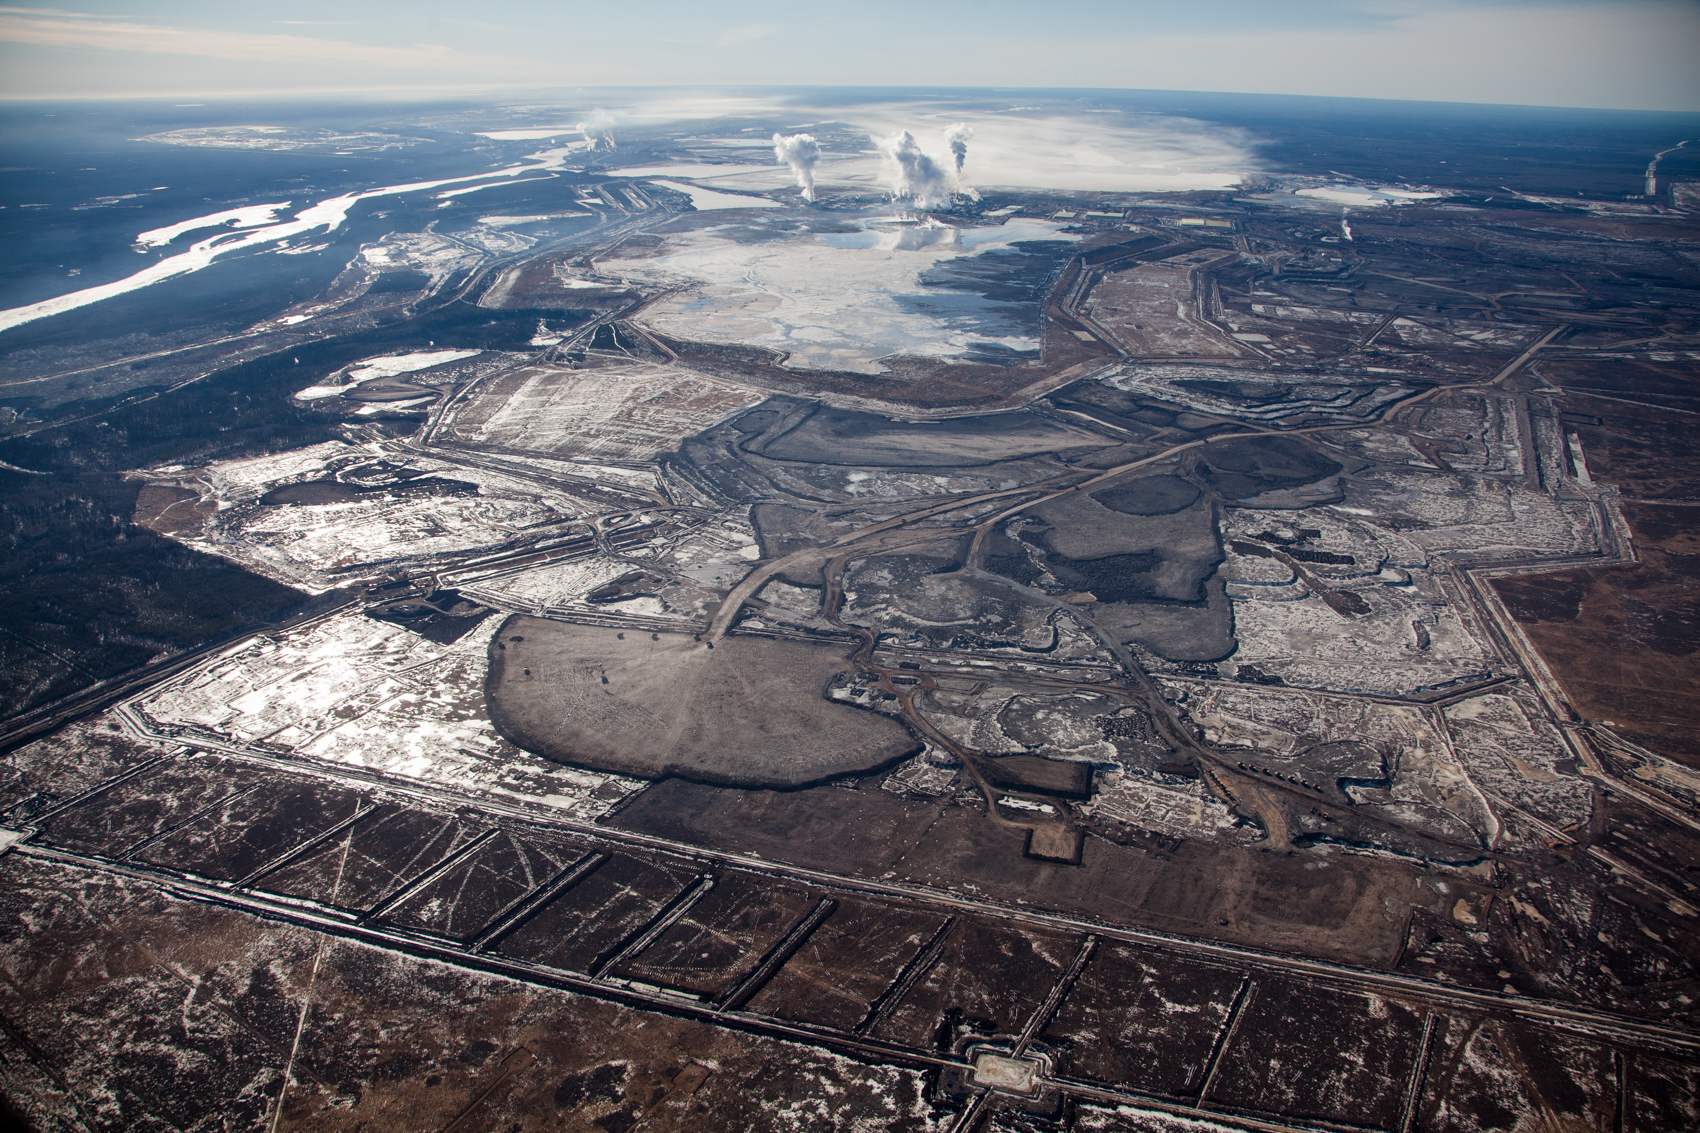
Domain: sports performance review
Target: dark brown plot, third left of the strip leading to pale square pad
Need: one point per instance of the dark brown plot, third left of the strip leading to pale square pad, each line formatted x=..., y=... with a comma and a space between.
x=723, y=937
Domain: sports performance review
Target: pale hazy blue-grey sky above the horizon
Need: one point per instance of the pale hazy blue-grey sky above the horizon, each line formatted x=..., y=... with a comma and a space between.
x=1580, y=54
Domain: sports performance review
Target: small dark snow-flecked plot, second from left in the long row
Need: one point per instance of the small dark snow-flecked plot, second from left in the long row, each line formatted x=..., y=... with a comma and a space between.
x=154, y=802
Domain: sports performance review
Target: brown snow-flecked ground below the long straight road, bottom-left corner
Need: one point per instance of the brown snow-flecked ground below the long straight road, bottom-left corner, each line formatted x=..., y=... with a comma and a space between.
x=162, y=1015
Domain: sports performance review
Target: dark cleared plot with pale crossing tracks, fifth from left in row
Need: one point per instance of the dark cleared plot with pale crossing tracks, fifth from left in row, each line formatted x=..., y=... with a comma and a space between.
x=472, y=894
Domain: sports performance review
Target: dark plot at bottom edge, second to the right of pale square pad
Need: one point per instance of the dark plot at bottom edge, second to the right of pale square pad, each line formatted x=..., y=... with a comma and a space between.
x=1320, y=1054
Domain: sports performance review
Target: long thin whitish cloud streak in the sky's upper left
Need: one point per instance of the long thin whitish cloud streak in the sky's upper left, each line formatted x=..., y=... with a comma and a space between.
x=101, y=35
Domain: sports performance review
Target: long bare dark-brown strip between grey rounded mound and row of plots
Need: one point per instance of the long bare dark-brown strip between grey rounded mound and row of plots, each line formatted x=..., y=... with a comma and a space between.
x=1203, y=889
